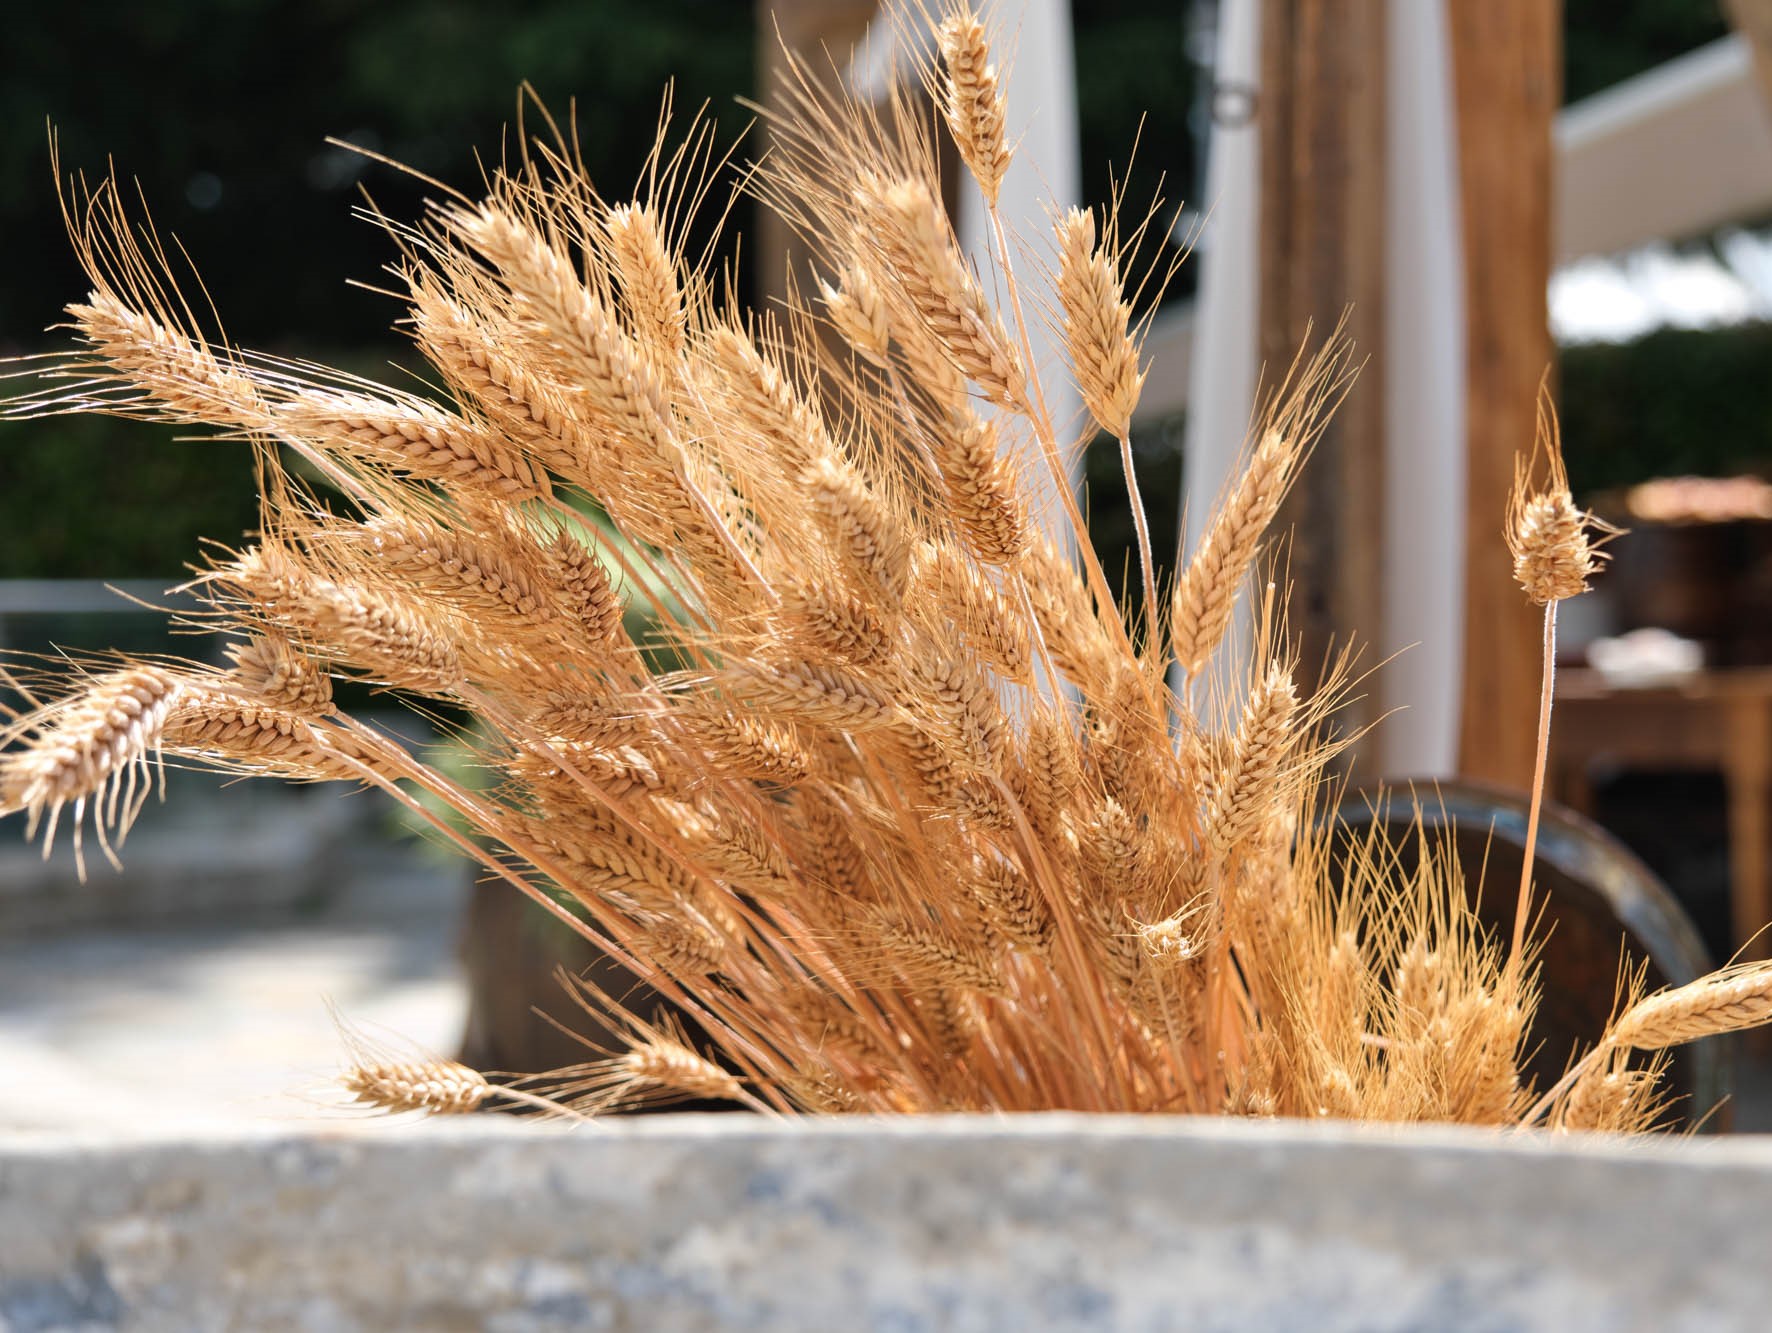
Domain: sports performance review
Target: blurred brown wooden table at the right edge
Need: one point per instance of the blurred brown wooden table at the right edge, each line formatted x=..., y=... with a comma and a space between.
x=1714, y=721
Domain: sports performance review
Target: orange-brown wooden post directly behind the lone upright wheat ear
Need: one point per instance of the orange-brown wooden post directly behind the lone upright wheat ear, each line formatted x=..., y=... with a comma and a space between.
x=1507, y=63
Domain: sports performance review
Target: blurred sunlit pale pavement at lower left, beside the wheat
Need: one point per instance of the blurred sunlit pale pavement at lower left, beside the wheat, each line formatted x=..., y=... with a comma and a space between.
x=222, y=1020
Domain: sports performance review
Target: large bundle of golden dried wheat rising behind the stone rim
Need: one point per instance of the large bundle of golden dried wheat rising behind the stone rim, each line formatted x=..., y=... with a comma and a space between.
x=913, y=822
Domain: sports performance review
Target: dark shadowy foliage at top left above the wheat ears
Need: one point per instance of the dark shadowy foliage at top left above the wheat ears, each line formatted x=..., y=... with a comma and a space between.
x=222, y=111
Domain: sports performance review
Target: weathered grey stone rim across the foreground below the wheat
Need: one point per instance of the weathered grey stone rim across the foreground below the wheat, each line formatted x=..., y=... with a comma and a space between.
x=947, y=1224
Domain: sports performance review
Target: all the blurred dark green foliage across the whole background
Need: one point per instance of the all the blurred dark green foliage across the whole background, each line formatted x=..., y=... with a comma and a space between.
x=222, y=109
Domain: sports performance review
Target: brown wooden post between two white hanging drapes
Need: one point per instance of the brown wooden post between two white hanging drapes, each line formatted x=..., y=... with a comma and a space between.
x=1323, y=254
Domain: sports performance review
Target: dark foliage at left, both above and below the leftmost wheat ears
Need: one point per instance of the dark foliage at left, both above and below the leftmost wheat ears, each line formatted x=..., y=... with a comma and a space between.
x=221, y=109
